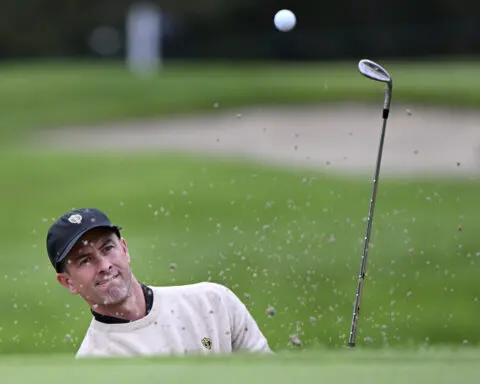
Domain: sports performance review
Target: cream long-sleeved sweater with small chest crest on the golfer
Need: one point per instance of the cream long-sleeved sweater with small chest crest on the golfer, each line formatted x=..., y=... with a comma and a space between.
x=198, y=318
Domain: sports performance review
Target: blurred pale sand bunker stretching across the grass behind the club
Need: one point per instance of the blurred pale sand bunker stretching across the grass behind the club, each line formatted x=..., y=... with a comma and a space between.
x=341, y=137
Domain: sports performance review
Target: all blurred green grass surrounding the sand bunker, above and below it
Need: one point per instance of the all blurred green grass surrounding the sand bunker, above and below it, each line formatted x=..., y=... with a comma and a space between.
x=277, y=236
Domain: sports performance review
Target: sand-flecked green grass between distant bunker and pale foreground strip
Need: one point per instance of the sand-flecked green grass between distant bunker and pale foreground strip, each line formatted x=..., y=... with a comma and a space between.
x=277, y=237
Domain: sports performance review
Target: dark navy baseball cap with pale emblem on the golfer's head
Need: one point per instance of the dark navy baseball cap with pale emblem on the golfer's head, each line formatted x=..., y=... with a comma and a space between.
x=69, y=228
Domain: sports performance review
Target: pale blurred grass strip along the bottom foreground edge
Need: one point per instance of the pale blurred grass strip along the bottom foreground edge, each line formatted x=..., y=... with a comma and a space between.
x=431, y=366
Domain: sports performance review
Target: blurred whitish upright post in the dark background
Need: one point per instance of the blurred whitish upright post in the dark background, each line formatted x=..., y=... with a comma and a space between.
x=143, y=45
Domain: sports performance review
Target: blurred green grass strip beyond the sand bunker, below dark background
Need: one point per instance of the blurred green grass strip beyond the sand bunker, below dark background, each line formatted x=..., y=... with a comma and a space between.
x=38, y=95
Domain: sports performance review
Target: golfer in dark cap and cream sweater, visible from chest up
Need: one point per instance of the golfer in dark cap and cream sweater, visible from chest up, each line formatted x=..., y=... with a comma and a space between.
x=130, y=318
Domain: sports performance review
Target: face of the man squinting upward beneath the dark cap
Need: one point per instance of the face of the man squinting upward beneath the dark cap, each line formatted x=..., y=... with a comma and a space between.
x=98, y=268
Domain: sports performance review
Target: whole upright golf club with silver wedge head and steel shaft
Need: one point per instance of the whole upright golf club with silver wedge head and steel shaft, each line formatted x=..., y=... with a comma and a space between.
x=373, y=71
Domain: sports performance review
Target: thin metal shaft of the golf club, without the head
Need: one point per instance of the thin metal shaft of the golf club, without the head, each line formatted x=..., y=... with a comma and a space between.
x=363, y=266
